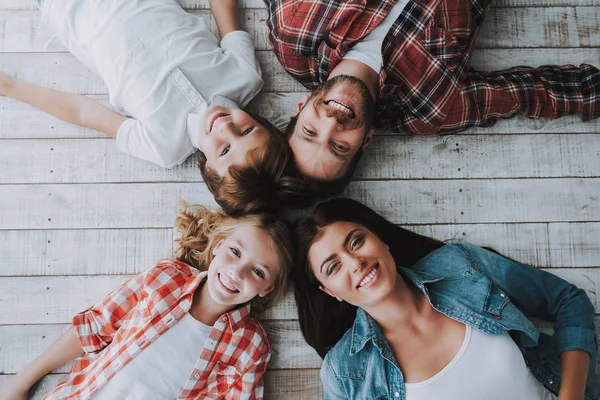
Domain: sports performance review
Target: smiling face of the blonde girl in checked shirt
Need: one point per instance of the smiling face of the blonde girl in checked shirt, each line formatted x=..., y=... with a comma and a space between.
x=244, y=265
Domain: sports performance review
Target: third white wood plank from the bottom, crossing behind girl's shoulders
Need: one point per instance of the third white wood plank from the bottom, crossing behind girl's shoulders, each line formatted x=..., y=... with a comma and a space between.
x=55, y=300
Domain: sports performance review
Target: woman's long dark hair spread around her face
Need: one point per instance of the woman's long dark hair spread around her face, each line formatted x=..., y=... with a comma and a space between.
x=323, y=319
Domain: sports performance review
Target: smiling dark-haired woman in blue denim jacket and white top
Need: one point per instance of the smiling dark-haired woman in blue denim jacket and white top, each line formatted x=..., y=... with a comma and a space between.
x=454, y=325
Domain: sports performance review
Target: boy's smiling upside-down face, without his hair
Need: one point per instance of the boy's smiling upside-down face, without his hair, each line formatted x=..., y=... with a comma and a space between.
x=227, y=135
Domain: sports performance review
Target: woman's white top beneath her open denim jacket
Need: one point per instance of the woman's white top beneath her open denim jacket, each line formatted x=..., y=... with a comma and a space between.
x=487, y=367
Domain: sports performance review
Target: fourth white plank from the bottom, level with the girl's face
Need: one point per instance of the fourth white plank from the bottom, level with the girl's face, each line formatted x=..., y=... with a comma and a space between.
x=128, y=251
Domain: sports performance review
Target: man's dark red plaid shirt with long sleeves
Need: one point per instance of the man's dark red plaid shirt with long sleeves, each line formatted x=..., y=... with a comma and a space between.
x=426, y=84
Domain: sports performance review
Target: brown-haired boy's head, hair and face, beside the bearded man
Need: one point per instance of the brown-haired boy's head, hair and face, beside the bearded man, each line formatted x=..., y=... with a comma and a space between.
x=260, y=179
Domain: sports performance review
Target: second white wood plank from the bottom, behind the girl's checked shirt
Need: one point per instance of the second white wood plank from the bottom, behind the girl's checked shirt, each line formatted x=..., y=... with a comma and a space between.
x=22, y=343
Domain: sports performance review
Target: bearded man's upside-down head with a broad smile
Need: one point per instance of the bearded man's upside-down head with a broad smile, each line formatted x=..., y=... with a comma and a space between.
x=329, y=130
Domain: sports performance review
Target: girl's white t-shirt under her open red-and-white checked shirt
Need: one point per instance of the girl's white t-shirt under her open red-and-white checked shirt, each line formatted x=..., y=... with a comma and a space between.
x=161, y=370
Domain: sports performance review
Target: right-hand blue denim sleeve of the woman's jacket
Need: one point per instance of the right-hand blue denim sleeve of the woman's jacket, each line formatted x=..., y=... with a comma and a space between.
x=541, y=294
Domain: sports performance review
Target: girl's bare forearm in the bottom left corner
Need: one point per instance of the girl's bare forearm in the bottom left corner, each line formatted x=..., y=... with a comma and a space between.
x=66, y=348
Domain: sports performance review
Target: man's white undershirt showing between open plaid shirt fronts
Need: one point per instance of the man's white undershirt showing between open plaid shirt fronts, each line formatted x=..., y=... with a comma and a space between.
x=368, y=50
